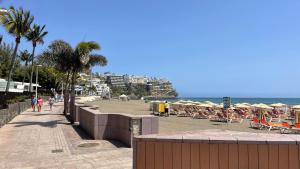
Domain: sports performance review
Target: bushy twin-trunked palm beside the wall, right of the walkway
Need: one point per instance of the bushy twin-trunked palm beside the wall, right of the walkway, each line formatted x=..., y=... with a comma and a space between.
x=72, y=61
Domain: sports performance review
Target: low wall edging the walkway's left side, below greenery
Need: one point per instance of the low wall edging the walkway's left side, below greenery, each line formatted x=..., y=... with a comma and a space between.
x=6, y=115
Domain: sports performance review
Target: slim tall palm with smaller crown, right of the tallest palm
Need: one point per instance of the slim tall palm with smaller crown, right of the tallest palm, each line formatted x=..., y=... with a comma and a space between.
x=35, y=35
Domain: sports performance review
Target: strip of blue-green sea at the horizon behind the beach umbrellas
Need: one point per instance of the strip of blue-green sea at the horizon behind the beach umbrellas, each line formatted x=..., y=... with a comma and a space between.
x=288, y=101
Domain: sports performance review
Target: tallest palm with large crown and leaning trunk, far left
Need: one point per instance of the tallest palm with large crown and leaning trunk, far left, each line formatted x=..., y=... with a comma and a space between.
x=17, y=23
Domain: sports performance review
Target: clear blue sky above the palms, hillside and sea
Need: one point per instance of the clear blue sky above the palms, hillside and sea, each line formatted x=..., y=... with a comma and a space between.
x=238, y=48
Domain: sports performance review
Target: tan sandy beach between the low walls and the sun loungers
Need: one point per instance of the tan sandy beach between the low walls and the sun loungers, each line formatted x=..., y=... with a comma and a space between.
x=171, y=124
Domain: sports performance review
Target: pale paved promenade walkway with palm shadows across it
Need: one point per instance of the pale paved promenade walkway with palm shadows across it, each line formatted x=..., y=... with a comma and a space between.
x=46, y=140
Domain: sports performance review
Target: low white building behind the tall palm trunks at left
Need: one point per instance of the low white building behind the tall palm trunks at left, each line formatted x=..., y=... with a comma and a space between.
x=16, y=87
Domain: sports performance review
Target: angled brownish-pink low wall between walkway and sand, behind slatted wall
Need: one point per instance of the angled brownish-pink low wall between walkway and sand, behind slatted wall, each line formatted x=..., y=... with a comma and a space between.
x=116, y=126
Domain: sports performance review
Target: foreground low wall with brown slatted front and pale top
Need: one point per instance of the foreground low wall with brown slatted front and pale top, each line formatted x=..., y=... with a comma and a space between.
x=217, y=150
